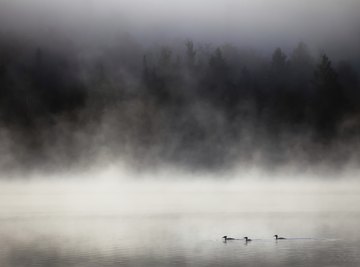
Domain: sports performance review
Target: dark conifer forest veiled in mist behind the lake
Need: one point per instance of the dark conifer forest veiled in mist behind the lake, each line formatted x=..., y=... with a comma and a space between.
x=192, y=105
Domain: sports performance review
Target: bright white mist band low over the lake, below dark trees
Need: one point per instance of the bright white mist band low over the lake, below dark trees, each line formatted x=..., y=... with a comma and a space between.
x=115, y=192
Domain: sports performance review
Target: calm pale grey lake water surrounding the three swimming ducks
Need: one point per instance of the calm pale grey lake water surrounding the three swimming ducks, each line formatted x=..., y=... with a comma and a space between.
x=181, y=228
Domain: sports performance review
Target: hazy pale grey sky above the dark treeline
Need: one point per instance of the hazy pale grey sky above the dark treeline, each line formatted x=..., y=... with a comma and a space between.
x=262, y=23
